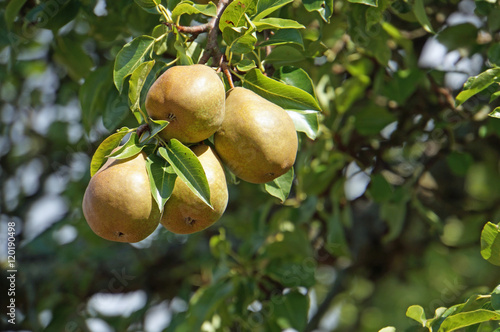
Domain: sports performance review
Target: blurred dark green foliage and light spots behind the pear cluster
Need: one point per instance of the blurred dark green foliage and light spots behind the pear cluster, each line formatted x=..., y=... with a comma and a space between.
x=388, y=201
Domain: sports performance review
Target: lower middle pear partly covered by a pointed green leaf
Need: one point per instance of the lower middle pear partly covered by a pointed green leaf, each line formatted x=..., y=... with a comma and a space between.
x=186, y=213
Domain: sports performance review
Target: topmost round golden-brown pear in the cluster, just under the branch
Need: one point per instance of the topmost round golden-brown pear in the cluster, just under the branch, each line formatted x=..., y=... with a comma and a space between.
x=190, y=97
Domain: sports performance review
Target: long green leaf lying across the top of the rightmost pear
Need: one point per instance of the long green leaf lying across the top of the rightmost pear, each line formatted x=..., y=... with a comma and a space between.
x=286, y=96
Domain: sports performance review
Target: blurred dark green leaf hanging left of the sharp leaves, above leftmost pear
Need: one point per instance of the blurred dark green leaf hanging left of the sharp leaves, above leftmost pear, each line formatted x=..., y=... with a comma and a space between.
x=91, y=95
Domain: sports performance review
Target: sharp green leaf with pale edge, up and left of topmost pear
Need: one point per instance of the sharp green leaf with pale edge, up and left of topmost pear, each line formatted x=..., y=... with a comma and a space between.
x=130, y=57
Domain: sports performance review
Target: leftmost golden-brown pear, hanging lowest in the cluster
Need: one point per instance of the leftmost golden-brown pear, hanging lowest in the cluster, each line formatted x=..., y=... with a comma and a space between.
x=118, y=204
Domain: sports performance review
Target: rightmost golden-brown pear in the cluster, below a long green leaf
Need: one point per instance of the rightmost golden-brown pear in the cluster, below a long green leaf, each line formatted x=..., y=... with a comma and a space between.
x=257, y=140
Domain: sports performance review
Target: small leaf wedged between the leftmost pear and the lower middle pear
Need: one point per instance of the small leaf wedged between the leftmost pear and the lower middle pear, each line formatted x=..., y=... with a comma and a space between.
x=161, y=180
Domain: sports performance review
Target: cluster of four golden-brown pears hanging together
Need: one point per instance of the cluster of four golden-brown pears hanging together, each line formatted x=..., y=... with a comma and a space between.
x=254, y=138
